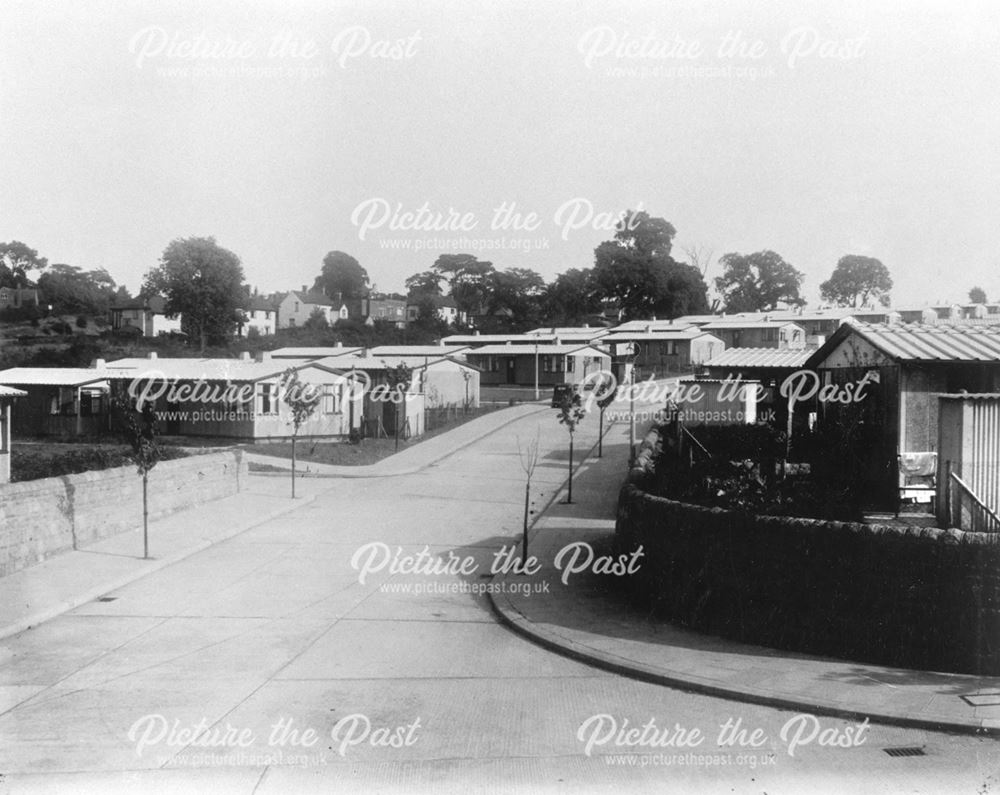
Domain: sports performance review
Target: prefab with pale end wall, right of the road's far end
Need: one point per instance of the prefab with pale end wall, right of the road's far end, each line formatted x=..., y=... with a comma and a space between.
x=658, y=353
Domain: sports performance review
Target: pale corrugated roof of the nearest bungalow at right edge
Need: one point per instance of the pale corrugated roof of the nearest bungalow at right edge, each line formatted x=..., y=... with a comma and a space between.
x=947, y=342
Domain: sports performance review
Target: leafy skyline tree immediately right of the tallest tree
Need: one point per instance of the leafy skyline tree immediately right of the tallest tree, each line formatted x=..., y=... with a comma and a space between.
x=758, y=282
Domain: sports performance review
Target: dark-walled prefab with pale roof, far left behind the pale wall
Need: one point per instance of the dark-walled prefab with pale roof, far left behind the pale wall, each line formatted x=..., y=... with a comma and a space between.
x=58, y=401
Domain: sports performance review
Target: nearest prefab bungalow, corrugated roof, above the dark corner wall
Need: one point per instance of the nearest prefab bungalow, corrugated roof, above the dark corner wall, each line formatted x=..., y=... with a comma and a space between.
x=908, y=367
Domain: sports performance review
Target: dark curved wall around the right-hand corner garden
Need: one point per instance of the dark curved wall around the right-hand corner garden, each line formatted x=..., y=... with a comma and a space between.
x=903, y=596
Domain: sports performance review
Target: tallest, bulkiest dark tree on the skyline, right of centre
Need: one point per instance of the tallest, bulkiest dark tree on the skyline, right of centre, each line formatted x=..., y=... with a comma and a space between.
x=636, y=270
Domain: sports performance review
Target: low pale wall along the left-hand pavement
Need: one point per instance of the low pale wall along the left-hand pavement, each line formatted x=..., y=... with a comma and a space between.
x=41, y=518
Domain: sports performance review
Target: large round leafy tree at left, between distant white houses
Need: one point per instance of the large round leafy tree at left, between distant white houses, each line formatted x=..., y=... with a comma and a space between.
x=202, y=282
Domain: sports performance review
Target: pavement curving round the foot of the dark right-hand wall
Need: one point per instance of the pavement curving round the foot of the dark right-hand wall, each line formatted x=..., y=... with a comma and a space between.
x=588, y=619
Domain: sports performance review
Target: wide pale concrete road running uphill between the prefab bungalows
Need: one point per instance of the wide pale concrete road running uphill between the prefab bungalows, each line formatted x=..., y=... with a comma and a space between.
x=265, y=665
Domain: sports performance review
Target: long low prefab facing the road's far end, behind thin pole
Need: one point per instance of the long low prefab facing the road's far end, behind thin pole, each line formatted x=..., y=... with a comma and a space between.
x=550, y=363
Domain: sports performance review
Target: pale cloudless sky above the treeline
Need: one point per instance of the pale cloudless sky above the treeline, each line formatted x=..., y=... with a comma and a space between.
x=520, y=132
